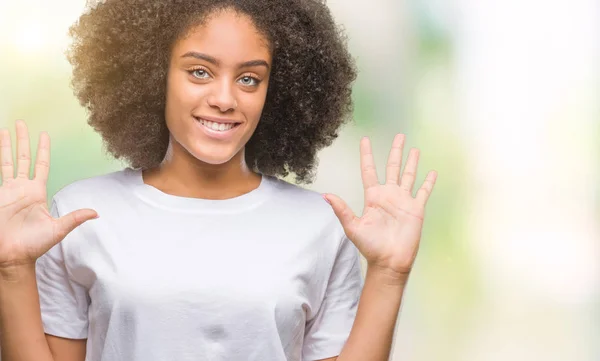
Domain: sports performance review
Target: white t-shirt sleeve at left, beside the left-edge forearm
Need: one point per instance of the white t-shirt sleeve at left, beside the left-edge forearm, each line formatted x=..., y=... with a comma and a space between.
x=63, y=302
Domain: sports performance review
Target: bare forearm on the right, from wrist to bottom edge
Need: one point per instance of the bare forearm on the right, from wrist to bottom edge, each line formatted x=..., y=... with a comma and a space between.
x=373, y=329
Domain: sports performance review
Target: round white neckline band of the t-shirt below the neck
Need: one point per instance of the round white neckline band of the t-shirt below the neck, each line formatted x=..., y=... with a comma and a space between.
x=170, y=202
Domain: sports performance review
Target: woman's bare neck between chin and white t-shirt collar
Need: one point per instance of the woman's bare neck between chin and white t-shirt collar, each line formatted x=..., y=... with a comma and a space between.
x=186, y=176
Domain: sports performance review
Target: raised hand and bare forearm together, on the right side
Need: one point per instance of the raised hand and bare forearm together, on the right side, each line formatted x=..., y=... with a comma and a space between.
x=387, y=234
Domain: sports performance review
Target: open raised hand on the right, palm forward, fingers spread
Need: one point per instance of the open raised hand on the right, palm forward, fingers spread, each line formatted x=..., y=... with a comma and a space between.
x=389, y=231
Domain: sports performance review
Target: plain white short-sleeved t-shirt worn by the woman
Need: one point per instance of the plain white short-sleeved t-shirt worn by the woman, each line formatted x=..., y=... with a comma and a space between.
x=266, y=276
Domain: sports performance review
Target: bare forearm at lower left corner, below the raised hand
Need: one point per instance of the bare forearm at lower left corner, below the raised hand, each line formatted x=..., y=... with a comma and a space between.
x=21, y=333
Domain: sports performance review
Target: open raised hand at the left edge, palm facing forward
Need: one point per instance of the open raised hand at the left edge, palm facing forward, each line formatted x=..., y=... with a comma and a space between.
x=27, y=229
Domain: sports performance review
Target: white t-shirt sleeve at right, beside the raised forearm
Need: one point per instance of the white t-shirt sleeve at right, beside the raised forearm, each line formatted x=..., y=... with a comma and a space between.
x=327, y=332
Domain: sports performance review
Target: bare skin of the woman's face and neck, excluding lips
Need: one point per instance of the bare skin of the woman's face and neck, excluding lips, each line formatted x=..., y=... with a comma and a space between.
x=196, y=165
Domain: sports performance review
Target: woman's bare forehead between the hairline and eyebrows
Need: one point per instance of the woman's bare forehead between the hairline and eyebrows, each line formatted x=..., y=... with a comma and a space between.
x=226, y=35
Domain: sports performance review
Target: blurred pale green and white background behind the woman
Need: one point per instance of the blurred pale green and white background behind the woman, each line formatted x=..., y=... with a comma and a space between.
x=503, y=100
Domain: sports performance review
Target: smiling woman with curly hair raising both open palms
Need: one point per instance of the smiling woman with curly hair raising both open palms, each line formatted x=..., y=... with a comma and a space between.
x=200, y=251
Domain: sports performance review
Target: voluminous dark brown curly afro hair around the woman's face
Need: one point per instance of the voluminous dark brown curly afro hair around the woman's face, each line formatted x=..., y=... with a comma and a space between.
x=120, y=55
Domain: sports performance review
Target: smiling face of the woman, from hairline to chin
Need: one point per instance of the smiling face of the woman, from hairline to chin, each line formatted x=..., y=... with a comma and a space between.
x=216, y=88
